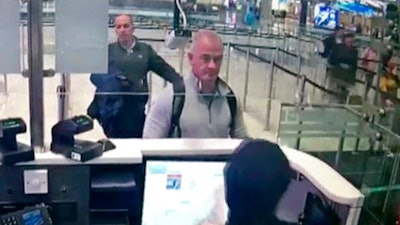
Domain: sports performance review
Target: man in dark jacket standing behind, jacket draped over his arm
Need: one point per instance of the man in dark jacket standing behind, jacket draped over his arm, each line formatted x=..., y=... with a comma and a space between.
x=123, y=116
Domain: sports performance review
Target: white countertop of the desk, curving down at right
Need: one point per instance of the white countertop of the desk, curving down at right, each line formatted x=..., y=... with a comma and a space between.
x=130, y=151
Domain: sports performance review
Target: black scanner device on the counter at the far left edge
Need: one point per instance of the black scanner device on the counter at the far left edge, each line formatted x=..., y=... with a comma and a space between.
x=11, y=151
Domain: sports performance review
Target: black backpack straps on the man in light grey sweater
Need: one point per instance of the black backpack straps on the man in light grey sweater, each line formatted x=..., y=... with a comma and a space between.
x=179, y=101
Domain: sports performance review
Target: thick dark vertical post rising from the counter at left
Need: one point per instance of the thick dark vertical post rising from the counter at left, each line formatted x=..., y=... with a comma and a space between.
x=35, y=63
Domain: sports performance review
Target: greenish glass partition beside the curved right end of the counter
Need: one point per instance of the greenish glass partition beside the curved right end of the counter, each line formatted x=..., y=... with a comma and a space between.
x=352, y=140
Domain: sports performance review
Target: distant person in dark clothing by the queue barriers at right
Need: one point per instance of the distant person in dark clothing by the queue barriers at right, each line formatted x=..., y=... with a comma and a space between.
x=342, y=74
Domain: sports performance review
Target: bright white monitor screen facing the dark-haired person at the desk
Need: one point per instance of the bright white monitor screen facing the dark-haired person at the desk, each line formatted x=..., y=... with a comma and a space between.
x=183, y=192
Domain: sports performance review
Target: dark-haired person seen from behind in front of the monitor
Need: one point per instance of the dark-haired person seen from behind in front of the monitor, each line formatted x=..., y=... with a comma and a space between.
x=256, y=178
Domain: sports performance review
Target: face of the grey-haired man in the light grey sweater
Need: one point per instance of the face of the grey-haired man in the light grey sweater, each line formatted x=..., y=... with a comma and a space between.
x=206, y=59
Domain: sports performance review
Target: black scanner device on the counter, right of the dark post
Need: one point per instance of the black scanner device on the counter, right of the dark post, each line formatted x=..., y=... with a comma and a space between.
x=64, y=142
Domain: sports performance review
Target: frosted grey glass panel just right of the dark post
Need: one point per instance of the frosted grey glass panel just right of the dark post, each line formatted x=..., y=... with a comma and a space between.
x=81, y=39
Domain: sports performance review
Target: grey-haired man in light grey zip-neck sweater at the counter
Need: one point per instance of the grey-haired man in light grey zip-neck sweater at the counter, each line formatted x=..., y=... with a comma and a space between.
x=207, y=111
